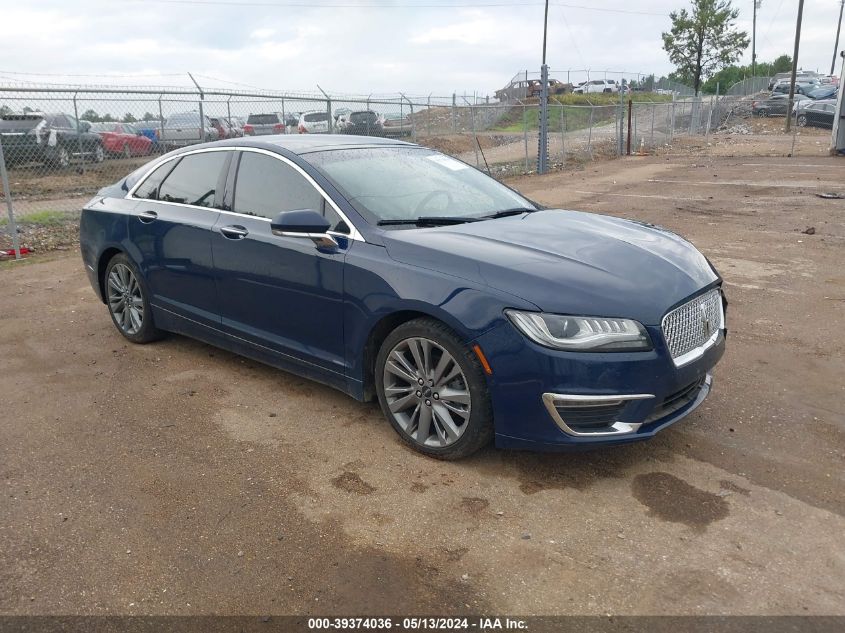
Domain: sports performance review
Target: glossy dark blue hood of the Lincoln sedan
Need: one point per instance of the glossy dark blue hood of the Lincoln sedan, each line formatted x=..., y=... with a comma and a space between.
x=565, y=262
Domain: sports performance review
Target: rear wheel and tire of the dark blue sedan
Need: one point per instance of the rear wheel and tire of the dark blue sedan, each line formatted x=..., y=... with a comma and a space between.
x=128, y=301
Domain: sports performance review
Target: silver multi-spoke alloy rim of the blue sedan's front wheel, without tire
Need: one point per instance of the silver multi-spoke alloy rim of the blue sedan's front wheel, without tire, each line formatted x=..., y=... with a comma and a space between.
x=427, y=392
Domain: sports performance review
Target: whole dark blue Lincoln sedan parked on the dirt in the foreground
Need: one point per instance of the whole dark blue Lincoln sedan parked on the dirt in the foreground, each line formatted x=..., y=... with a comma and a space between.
x=391, y=271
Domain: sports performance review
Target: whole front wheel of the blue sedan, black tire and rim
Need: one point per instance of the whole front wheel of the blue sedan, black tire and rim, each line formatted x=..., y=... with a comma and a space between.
x=431, y=388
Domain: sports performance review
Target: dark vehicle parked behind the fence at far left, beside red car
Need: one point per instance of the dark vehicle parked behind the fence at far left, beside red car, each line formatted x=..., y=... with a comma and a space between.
x=52, y=139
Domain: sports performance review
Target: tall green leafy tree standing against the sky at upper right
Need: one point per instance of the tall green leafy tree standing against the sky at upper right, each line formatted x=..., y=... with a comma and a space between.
x=704, y=40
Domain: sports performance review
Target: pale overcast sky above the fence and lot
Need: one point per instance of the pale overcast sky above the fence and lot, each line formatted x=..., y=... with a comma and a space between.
x=364, y=46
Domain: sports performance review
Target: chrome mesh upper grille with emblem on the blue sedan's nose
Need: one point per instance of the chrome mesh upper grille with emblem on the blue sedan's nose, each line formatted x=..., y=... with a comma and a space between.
x=691, y=325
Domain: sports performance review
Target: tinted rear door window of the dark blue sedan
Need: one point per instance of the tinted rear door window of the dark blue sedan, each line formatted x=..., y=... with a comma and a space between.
x=194, y=180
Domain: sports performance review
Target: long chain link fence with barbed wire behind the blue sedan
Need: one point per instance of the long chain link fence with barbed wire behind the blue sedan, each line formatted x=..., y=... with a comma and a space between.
x=61, y=145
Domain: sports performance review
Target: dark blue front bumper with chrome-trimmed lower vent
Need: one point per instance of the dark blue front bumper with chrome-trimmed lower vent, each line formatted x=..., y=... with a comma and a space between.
x=545, y=399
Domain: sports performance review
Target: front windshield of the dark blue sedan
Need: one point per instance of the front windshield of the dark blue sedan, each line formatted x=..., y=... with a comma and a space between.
x=406, y=183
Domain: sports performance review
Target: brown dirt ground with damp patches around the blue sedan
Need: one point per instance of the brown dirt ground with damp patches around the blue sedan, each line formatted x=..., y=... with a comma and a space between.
x=176, y=478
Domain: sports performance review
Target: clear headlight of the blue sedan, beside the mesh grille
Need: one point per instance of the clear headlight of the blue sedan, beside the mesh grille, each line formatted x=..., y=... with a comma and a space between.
x=581, y=334
